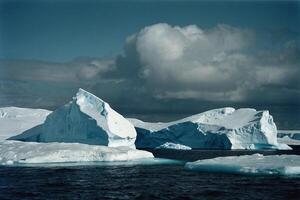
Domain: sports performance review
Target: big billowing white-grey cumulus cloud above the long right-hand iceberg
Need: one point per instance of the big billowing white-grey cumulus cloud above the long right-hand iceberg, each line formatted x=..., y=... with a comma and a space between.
x=216, y=64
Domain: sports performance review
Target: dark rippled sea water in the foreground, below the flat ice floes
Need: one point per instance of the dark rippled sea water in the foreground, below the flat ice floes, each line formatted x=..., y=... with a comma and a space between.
x=139, y=182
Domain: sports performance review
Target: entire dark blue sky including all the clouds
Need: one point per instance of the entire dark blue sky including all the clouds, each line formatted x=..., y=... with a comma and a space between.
x=157, y=60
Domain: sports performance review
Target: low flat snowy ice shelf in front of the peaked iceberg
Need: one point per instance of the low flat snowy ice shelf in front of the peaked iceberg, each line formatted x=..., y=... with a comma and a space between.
x=14, y=152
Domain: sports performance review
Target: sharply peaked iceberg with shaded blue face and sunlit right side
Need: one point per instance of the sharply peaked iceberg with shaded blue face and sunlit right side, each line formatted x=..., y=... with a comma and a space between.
x=86, y=119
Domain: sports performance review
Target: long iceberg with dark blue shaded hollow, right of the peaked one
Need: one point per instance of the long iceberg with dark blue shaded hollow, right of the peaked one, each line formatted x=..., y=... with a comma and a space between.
x=224, y=128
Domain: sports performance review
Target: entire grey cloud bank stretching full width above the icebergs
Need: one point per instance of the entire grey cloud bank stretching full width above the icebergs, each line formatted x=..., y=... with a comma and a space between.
x=162, y=65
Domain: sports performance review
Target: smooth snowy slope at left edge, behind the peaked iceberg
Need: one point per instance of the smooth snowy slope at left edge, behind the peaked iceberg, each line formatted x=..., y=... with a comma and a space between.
x=14, y=120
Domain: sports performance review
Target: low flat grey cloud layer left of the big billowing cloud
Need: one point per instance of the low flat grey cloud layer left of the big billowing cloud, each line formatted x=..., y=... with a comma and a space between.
x=33, y=83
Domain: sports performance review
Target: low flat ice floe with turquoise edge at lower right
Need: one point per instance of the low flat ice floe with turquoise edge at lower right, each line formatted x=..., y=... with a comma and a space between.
x=250, y=164
